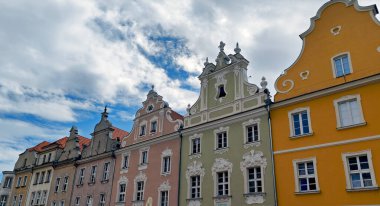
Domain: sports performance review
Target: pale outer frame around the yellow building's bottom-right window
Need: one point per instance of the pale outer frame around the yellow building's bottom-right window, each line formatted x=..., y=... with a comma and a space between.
x=370, y=170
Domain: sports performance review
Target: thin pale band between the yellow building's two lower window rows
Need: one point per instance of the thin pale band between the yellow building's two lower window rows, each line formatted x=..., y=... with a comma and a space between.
x=330, y=144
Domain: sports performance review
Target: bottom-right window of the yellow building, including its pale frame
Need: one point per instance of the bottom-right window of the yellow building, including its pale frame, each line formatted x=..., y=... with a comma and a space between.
x=359, y=170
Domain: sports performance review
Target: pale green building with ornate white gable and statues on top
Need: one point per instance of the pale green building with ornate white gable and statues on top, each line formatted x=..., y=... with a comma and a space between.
x=226, y=155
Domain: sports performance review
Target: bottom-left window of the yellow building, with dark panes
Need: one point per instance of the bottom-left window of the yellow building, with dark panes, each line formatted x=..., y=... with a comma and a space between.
x=306, y=175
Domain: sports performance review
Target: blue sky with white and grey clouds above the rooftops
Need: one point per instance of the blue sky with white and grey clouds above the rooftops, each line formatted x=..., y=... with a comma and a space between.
x=62, y=61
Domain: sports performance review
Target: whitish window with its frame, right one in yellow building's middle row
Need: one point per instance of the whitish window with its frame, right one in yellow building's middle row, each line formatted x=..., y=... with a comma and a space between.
x=348, y=111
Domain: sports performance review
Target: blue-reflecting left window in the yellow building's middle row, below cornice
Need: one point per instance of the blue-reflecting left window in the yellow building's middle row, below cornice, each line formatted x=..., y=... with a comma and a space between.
x=299, y=120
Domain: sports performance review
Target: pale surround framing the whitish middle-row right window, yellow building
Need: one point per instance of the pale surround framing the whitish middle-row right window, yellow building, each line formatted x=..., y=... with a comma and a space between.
x=337, y=113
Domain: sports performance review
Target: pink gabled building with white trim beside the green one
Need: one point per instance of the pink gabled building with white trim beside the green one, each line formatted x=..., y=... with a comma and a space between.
x=147, y=165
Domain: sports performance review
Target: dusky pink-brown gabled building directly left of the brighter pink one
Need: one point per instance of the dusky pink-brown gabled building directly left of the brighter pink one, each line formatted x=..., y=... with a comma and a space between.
x=95, y=170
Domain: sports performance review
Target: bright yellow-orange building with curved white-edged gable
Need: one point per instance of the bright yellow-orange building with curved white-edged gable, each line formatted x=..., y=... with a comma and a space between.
x=325, y=119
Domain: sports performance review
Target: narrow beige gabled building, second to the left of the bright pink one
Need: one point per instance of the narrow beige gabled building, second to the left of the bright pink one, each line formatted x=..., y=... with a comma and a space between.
x=64, y=169
